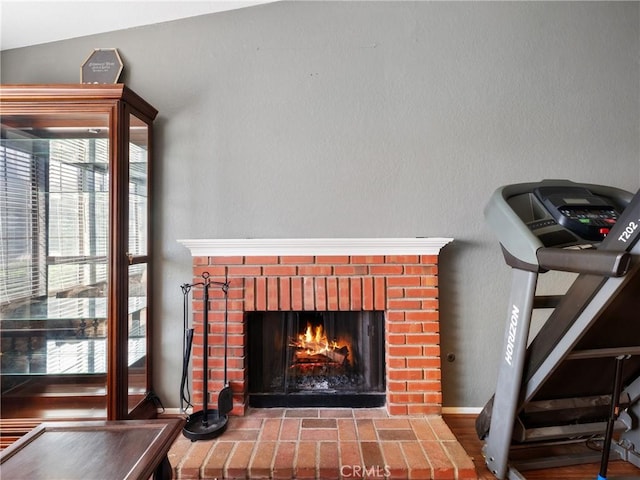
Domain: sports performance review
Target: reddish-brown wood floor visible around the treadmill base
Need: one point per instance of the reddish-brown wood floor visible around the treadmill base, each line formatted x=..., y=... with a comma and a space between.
x=463, y=427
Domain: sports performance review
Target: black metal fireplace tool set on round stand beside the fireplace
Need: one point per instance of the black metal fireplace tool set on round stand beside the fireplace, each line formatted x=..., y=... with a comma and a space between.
x=206, y=423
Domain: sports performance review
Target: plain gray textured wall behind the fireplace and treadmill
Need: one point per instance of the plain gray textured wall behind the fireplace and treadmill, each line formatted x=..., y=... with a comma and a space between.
x=372, y=119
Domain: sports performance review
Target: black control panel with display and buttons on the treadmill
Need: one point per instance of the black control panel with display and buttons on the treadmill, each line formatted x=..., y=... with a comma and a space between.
x=579, y=210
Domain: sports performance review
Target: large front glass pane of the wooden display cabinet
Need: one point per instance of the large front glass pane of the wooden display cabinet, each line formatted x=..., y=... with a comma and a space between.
x=54, y=247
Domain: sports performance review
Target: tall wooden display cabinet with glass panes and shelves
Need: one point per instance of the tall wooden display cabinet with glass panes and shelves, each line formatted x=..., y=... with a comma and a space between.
x=75, y=259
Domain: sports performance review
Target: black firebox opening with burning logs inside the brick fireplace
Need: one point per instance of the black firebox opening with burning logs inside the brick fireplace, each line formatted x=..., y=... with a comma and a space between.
x=316, y=359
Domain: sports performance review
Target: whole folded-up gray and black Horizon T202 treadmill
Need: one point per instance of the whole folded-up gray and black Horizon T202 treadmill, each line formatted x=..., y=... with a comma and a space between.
x=571, y=394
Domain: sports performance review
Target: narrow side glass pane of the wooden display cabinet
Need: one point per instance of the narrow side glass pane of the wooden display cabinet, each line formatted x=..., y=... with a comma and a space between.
x=138, y=241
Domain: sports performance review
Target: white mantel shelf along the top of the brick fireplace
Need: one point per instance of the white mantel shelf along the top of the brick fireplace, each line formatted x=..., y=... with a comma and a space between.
x=314, y=246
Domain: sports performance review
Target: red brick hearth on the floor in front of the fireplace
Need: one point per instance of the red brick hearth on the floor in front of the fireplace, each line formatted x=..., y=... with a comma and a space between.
x=325, y=444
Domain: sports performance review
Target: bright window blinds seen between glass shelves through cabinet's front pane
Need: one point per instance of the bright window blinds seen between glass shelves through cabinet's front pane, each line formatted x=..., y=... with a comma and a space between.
x=54, y=216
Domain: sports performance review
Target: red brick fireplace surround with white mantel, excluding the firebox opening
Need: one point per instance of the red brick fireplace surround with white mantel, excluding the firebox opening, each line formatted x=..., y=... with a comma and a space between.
x=396, y=276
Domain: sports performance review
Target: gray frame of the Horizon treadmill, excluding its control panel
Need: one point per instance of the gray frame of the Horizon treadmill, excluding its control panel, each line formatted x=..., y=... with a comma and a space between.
x=511, y=395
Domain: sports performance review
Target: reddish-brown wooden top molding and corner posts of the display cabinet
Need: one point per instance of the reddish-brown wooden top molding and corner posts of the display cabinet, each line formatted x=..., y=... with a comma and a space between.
x=52, y=105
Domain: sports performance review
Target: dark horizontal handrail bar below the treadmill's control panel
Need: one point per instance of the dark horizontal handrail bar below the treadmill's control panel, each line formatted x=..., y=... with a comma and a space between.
x=597, y=262
